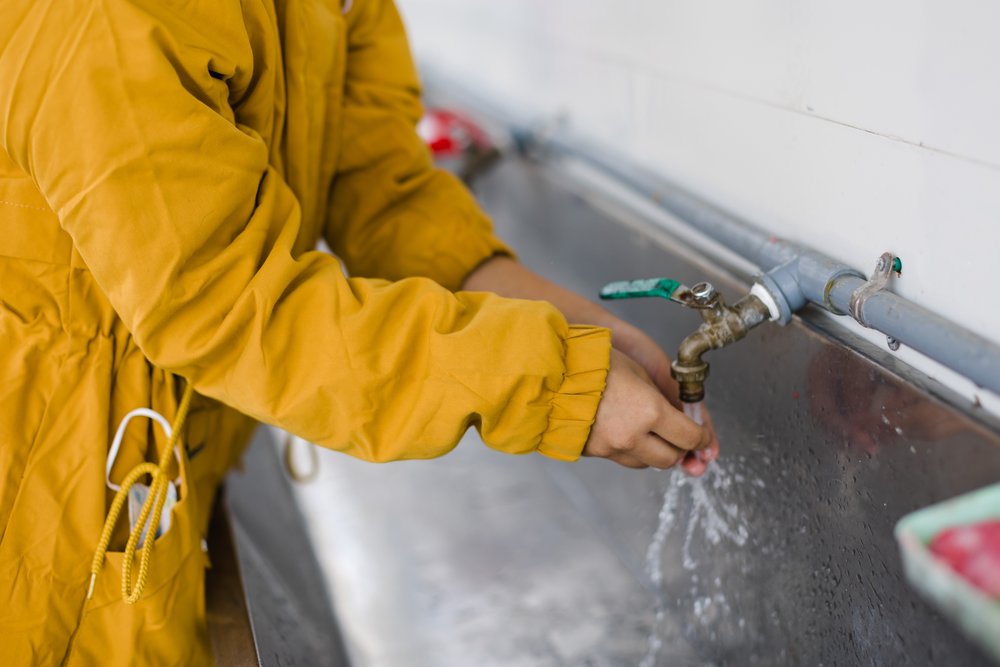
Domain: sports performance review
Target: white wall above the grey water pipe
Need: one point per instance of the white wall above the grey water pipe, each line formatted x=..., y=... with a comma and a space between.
x=855, y=127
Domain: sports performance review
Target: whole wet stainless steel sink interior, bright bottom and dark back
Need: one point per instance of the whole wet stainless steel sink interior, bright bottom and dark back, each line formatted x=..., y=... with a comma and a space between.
x=781, y=555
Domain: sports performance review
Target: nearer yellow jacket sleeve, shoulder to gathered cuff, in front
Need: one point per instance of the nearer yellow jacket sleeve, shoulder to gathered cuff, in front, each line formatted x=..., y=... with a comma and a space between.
x=118, y=111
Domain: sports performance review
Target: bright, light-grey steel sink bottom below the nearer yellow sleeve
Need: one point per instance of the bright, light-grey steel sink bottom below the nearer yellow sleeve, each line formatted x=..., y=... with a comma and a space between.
x=472, y=559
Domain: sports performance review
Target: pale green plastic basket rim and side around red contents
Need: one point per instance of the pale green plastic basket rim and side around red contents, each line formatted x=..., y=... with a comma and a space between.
x=975, y=613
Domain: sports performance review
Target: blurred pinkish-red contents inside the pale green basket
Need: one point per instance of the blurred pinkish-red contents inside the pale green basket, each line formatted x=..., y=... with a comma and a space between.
x=974, y=552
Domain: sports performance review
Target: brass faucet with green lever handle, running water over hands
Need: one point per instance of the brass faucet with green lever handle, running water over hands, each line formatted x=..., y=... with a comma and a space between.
x=722, y=326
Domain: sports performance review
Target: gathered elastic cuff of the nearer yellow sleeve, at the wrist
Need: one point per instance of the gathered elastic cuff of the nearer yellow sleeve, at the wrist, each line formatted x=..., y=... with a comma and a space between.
x=588, y=355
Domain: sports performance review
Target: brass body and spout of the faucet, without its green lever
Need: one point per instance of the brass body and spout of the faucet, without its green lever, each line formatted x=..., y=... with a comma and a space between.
x=722, y=326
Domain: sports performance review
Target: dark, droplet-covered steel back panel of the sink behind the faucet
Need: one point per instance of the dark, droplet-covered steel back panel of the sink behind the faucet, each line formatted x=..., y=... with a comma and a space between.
x=784, y=554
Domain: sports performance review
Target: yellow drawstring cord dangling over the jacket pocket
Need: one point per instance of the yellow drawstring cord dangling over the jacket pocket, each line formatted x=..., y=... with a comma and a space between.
x=154, y=502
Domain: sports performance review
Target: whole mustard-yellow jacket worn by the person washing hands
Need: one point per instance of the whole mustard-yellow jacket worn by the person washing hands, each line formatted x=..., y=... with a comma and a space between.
x=166, y=169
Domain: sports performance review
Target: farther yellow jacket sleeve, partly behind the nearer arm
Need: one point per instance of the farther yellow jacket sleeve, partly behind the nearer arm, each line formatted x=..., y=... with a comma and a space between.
x=423, y=222
